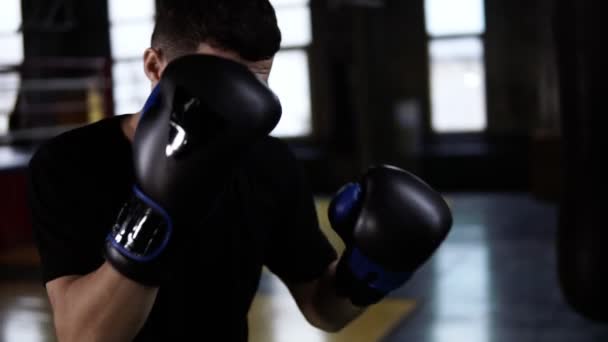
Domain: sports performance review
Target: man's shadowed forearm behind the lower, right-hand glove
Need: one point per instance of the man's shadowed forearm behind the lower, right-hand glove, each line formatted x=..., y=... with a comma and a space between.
x=334, y=312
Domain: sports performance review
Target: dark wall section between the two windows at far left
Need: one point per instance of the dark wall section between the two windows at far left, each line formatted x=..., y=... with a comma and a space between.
x=67, y=41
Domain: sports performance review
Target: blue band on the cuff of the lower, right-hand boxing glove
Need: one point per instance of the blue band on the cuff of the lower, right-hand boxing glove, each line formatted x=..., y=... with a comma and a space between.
x=376, y=276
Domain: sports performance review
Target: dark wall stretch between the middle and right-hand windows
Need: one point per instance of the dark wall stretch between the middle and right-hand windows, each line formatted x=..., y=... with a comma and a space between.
x=367, y=62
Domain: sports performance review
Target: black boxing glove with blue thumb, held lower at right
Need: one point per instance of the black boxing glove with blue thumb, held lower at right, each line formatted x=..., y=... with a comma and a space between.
x=391, y=223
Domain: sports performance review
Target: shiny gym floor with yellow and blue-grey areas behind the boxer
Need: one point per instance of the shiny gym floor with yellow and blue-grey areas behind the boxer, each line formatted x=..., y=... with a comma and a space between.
x=493, y=280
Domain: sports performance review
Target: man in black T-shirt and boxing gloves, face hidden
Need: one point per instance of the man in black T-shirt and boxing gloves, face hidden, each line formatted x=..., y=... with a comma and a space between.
x=81, y=181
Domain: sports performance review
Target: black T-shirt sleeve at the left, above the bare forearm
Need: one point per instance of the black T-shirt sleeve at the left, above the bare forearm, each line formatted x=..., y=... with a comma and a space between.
x=61, y=238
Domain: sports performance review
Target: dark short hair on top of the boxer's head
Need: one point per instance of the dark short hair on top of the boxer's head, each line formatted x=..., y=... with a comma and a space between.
x=247, y=27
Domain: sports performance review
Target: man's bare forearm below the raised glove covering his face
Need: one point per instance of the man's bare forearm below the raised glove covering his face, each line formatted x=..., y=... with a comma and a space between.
x=102, y=306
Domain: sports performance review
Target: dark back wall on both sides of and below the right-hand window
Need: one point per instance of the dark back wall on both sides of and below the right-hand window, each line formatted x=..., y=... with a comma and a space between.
x=374, y=96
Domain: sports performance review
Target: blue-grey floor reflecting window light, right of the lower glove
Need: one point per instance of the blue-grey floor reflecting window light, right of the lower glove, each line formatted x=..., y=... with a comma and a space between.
x=494, y=279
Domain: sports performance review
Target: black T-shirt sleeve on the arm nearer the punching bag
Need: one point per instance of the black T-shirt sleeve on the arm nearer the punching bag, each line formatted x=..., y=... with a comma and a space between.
x=298, y=250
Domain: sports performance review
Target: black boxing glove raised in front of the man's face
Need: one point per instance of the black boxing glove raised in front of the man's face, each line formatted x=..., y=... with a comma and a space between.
x=196, y=123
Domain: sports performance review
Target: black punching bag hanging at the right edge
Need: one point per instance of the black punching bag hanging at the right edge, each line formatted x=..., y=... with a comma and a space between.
x=582, y=241
